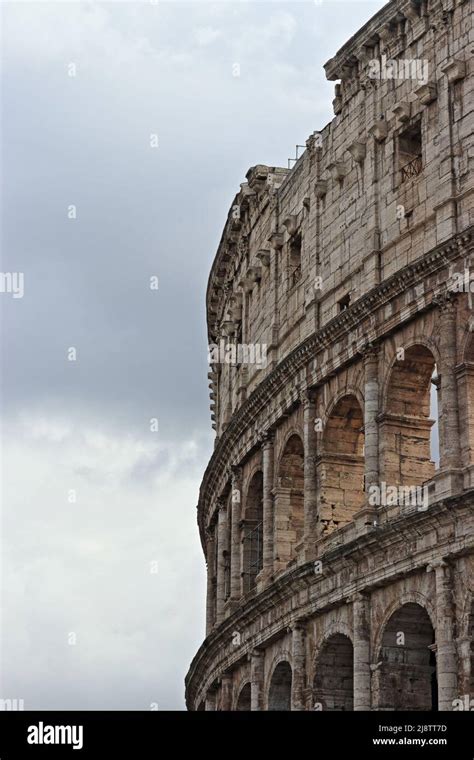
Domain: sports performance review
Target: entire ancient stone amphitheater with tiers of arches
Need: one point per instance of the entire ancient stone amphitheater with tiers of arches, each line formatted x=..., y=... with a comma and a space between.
x=336, y=512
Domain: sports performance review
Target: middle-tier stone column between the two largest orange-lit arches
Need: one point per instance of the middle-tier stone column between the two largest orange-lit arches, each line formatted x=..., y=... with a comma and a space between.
x=371, y=410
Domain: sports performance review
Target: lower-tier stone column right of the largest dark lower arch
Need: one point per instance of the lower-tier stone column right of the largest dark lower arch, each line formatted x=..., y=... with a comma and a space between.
x=446, y=667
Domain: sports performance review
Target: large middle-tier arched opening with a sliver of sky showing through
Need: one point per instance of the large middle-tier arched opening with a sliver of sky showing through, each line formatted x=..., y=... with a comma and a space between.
x=406, y=438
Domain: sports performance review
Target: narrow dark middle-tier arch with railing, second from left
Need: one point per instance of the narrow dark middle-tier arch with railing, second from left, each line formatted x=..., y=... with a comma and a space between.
x=252, y=543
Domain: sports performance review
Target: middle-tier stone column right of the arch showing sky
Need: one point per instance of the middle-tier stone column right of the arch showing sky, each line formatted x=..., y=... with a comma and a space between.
x=450, y=452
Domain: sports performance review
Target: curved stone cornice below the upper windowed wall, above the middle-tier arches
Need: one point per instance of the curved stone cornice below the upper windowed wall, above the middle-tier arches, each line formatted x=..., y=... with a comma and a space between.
x=285, y=373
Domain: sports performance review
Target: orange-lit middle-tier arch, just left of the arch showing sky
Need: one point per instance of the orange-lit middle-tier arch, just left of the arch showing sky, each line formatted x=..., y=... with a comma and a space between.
x=341, y=465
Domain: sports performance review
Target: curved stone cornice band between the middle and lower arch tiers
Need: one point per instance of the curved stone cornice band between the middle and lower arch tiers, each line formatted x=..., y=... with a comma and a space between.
x=211, y=656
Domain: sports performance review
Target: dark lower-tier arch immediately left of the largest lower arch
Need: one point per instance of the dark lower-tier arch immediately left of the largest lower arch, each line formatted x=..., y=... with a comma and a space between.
x=333, y=686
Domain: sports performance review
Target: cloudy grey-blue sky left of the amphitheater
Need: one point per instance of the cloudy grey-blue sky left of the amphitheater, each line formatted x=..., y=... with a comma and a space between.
x=165, y=68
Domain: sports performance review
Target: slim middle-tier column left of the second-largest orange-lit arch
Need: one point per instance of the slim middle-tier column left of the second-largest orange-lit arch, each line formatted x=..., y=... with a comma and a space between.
x=310, y=479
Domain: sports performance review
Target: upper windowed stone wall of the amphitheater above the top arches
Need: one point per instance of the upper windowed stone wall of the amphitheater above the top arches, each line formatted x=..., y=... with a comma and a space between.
x=378, y=188
